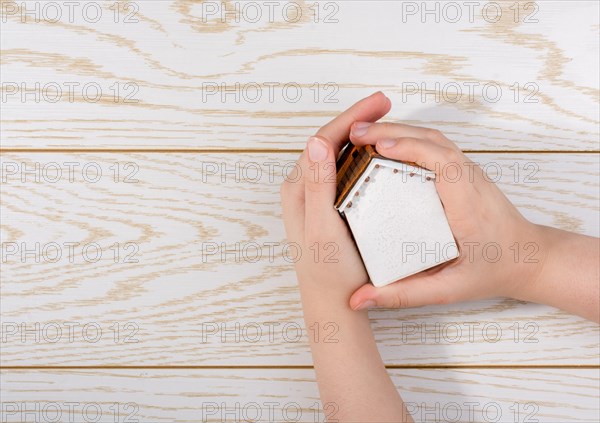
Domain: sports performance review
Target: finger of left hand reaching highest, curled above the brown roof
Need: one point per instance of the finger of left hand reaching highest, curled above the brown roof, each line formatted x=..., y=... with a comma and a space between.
x=370, y=109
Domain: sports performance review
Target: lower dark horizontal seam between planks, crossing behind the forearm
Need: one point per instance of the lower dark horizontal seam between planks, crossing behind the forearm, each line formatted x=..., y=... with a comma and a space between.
x=268, y=367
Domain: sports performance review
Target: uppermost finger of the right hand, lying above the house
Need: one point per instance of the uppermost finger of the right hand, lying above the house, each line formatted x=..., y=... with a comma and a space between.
x=363, y=133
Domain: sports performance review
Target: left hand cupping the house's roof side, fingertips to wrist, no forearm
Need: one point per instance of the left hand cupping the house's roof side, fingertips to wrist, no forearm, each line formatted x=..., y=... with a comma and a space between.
x=330, y=264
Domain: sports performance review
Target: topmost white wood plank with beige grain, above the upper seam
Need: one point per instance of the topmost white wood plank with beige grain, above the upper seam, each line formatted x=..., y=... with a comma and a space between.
x=170, y=53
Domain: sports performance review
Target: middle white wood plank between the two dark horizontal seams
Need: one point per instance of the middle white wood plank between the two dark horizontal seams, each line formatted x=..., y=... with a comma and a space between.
x=176, y=297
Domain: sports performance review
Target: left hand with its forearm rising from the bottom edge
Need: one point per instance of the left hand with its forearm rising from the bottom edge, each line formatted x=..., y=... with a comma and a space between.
x=347, y=364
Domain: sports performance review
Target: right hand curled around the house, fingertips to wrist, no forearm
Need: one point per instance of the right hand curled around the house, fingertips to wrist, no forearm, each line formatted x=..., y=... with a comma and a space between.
x=487, y=227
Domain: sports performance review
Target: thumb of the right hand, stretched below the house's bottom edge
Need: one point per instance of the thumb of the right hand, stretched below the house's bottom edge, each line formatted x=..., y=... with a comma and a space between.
x=414, y=291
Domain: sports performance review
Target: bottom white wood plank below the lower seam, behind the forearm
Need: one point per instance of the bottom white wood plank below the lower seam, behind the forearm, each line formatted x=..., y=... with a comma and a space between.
x=468, y=395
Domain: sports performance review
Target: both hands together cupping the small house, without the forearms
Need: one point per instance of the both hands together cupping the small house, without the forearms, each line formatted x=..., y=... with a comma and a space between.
x=478, y=213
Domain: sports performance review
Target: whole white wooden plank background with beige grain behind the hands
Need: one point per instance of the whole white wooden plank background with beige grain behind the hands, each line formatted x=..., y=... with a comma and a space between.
x=154, y=328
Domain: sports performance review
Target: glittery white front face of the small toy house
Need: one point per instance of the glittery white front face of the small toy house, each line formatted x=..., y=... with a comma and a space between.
x=398, y=222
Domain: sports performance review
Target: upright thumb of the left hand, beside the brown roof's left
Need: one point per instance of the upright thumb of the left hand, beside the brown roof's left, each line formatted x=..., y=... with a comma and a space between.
x=319, y=189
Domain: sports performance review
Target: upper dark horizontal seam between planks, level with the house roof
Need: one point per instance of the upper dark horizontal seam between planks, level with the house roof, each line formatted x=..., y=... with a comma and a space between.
x=250, y=150
